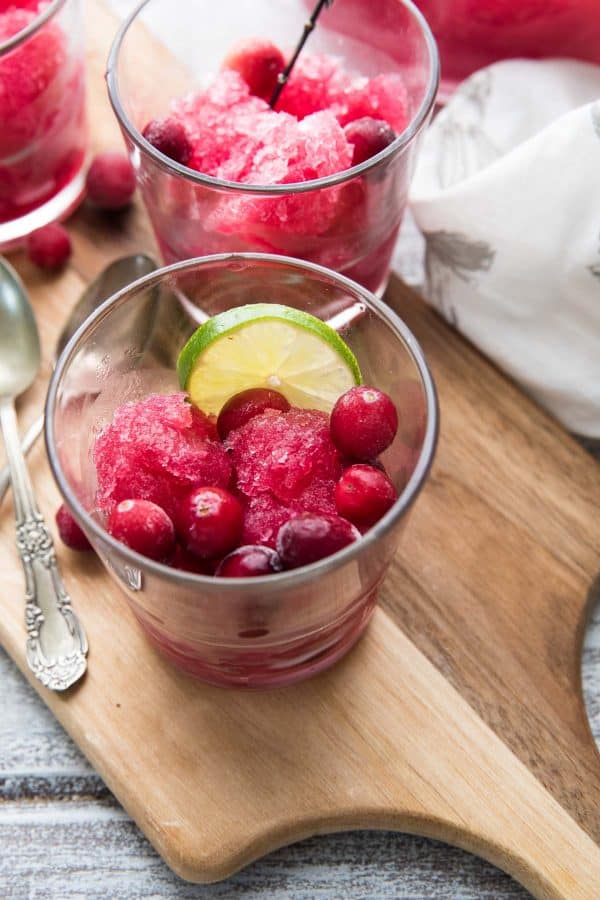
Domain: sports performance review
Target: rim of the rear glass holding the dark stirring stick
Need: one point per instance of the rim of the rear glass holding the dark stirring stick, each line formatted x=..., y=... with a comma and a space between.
x=174, y=168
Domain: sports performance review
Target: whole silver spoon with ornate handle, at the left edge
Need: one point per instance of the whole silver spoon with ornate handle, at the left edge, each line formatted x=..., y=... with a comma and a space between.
x=56, y=643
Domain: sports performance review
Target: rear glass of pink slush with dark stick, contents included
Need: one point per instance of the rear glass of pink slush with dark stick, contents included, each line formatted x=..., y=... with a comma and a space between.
x=322, y=176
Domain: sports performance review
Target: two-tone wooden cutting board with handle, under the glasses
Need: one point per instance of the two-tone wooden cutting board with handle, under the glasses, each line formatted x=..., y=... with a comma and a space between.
x=458, y=716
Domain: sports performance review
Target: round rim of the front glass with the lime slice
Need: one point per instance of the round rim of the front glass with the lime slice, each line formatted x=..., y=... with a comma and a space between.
x=279, y=580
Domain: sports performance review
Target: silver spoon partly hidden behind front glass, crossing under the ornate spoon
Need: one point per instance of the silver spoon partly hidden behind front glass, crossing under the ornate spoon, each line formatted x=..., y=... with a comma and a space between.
x=111, y=279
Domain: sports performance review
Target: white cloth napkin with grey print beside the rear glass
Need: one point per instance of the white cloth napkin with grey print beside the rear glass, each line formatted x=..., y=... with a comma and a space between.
x=507, y=195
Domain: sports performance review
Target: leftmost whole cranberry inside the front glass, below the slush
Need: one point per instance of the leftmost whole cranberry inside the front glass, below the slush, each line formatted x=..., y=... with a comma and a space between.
x=144, y=527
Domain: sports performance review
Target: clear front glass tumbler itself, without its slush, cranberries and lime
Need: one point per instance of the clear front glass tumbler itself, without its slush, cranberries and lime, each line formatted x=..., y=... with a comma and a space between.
x=253, y=632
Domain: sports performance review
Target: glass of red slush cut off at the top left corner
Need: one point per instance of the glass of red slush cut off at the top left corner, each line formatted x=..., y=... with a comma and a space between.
x=42, y=115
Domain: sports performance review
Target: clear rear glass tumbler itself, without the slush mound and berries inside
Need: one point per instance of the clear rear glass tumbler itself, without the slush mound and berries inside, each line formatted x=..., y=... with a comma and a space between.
x=194, y=214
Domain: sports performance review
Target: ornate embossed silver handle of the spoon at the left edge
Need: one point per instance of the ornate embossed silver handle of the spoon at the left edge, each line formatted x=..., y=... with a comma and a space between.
x=56, y=642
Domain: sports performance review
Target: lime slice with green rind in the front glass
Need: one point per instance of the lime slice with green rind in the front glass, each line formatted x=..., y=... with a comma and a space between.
x=266, y=345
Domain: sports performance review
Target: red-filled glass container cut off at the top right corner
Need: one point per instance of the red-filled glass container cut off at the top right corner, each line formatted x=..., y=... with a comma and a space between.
x=474, y=33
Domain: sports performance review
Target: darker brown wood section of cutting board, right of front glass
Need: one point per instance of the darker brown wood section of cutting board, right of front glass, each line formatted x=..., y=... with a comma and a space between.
x=512, y=497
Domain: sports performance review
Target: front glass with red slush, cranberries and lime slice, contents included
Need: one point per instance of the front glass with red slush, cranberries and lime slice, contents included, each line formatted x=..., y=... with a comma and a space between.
x=167, y=434
